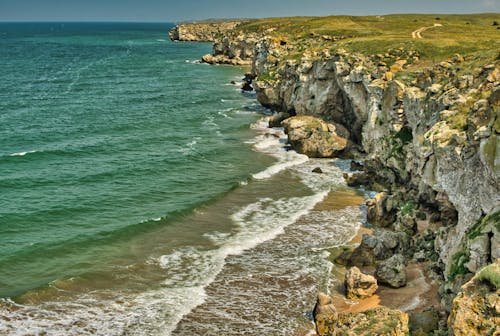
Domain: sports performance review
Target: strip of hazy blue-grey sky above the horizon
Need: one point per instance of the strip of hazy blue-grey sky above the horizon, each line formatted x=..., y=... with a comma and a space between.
x=173, y=11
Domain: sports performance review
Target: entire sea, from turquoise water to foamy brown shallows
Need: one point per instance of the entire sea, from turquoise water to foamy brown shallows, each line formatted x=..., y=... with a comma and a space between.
x=142, y=193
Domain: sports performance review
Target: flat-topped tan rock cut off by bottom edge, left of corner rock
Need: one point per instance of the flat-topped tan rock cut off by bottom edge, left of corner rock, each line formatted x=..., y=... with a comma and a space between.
x=381, y=321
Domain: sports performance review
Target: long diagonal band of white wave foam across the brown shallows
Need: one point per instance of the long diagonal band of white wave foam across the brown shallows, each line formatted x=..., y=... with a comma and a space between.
x=196, y=268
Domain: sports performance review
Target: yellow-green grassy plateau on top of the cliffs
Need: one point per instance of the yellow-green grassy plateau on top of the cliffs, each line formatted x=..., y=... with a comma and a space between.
x=472, y=35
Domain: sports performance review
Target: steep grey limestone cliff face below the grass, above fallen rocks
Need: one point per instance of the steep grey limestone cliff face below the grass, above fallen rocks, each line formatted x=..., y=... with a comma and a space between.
x=410, y=133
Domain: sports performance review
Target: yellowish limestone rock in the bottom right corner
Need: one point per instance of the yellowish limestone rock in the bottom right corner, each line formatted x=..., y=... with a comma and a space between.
x=476, y=309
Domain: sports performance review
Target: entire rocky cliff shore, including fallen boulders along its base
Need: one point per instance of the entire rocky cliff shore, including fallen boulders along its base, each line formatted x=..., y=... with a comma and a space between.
x=422, y=130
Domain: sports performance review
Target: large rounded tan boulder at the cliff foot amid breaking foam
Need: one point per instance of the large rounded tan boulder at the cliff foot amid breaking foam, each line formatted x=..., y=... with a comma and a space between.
x=314, y=137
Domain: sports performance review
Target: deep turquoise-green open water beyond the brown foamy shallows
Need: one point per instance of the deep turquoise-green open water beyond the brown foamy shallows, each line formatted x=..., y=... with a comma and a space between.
x=104, y=128
